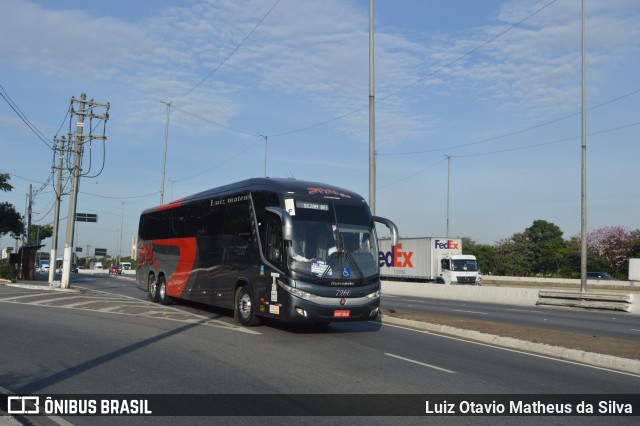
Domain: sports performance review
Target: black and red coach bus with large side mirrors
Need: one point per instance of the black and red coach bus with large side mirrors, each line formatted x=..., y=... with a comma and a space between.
x=266, y=248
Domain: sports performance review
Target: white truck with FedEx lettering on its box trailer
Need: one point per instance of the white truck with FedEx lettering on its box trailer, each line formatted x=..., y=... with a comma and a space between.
x=427, y=259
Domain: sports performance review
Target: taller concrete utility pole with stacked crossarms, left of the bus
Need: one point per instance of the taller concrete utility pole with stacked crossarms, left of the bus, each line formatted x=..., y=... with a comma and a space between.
x=78, y=139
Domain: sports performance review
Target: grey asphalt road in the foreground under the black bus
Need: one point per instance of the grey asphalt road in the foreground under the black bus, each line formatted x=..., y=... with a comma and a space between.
x=108, y=339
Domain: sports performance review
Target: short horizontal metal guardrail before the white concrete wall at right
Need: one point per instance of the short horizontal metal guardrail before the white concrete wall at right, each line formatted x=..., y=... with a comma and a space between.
x=617, y=302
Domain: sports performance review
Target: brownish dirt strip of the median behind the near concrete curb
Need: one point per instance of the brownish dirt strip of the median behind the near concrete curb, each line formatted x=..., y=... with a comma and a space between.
x=585, y=342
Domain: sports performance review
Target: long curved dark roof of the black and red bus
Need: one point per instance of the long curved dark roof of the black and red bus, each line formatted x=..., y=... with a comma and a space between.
x=285, y=187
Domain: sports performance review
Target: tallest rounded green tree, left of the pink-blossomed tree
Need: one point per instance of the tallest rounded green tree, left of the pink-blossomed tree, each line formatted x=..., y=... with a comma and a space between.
x=547, y=243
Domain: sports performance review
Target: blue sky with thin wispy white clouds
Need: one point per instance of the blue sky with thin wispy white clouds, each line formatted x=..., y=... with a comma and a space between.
x=478, y=106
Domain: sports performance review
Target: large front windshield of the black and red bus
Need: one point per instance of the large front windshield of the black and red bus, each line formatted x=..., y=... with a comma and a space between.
x=334, y=242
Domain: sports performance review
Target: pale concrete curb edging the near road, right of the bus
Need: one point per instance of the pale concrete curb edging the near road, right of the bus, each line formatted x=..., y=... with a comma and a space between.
x=597, y=360
